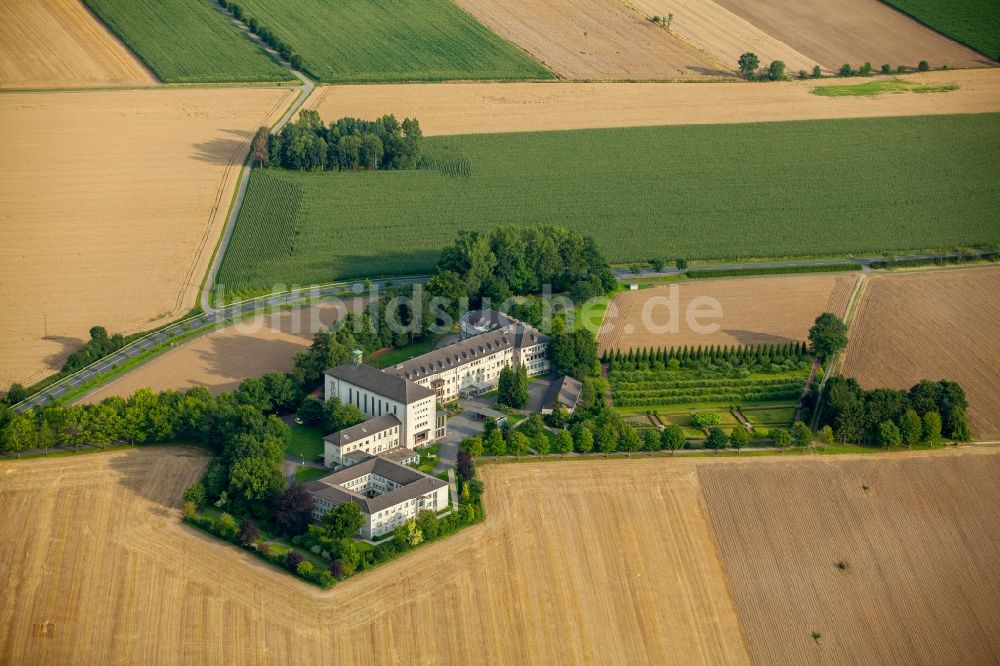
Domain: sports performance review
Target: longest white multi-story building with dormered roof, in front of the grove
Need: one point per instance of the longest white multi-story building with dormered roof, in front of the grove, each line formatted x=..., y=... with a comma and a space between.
x=472, y=366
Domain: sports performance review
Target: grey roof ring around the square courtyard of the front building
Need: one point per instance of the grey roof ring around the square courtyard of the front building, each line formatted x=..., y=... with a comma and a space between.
x=414, y=484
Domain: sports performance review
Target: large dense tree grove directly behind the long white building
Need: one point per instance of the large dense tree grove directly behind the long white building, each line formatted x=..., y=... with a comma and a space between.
x=516, y=261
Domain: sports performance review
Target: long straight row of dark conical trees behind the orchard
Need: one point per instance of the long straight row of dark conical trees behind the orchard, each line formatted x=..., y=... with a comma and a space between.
x=749, y=357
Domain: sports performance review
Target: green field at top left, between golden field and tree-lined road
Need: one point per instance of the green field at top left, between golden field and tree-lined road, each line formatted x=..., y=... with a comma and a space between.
x=187, y=41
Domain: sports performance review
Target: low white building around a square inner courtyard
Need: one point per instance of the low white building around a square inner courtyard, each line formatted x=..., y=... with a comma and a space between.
x=388, y=494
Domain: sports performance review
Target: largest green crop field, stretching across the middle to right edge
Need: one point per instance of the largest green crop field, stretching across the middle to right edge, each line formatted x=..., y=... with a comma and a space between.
x=701, y=192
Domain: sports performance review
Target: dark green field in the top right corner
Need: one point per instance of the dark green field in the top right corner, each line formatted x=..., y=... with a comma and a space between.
x=975, y=23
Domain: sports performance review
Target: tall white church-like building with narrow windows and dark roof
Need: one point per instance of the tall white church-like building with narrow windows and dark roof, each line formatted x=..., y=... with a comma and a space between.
x=376, y=393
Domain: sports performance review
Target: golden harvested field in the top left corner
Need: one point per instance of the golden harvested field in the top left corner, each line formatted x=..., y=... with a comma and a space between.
x=59, y=44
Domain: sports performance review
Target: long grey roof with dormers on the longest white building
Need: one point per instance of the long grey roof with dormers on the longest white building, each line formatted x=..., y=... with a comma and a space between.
x=468, y=350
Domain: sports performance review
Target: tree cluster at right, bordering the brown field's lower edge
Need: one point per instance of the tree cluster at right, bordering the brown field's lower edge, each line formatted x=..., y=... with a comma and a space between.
x=887, y=417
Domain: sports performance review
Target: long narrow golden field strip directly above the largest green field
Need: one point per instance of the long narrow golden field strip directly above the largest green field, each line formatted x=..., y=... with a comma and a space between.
x=472, y=108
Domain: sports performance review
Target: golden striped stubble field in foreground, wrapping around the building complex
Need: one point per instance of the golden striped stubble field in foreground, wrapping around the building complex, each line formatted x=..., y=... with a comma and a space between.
x=100, y=570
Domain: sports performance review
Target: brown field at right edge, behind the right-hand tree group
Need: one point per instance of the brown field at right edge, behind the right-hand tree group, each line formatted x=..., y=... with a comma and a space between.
x=932, y=325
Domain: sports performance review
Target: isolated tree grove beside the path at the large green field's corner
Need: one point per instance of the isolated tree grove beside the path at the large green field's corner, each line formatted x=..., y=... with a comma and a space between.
x=348, y=144
